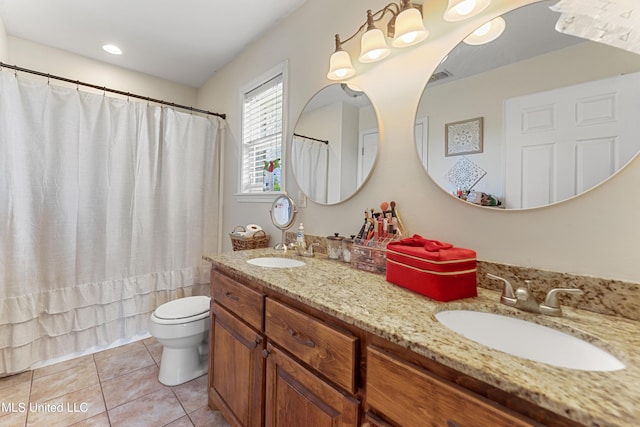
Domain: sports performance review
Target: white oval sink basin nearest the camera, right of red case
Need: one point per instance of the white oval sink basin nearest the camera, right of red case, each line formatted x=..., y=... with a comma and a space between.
x=529, y=340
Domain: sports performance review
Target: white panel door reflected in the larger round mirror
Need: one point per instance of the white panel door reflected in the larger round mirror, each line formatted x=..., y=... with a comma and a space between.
x=562, y=142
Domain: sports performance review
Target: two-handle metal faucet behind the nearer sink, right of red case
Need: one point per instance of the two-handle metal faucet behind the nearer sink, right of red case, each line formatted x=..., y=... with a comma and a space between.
x=523, y=299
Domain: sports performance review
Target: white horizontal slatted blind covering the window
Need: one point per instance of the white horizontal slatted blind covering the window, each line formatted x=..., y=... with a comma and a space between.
x=262, y=129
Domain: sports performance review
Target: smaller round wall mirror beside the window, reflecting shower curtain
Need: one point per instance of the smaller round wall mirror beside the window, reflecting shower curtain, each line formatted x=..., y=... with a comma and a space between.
x=334, y=144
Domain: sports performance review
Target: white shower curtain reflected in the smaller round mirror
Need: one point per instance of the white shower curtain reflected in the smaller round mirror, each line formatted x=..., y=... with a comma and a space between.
x=310, y=167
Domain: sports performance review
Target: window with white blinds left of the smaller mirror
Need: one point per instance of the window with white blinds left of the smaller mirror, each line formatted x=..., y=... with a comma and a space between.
x=263, y=112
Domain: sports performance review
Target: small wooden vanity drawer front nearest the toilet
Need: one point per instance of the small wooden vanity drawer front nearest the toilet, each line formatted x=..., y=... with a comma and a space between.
x=246, y=303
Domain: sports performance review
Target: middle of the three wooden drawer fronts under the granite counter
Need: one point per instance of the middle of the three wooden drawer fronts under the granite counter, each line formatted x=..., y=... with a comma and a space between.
x=330, y=352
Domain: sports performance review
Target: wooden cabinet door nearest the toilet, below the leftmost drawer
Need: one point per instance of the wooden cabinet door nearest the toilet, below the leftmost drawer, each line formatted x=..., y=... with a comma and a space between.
x=237, y=369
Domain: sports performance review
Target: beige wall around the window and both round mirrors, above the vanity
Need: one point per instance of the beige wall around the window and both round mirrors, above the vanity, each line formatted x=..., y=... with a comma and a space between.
x=595, y=234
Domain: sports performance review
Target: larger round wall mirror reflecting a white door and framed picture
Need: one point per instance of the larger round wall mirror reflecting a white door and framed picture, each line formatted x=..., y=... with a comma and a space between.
x=531, y=118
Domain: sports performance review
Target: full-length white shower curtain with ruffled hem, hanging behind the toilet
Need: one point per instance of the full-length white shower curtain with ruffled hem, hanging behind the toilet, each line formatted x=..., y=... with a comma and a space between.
x=106, y=208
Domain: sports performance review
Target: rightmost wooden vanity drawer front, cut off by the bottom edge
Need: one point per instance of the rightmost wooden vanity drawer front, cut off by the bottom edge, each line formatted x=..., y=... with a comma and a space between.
x=407, y=395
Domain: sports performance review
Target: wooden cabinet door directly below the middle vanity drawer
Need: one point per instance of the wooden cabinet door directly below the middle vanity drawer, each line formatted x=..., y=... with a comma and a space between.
x=295, y=397
